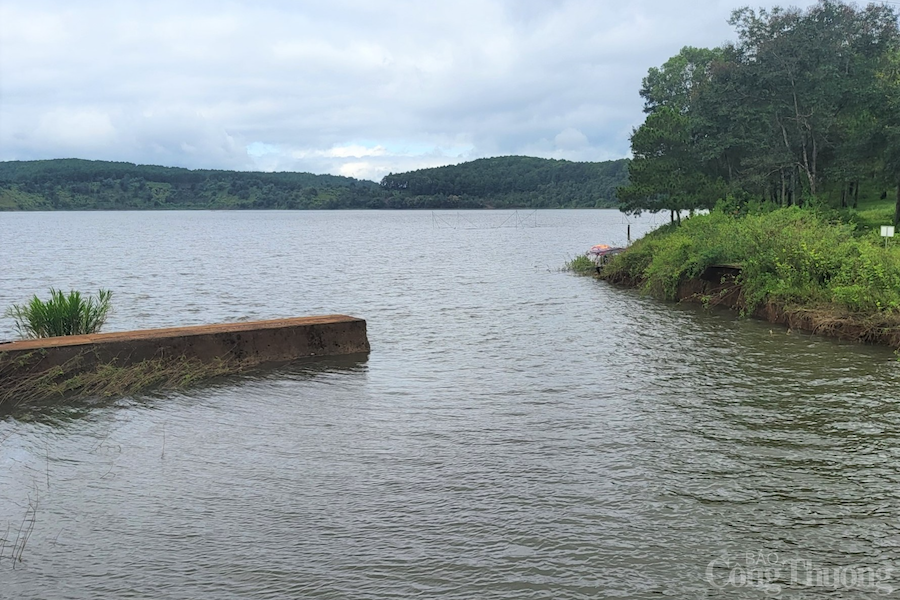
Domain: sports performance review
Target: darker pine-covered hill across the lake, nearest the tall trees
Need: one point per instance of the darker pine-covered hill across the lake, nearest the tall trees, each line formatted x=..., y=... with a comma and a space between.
x=514, y=181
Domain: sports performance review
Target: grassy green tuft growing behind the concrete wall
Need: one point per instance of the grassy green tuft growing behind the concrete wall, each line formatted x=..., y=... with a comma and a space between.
x=61, y=314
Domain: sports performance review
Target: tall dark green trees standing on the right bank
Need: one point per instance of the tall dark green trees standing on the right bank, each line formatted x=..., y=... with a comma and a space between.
x=803, y=105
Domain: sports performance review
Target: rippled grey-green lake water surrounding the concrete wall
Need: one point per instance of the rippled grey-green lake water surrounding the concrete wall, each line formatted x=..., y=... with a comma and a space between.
x=516, y=431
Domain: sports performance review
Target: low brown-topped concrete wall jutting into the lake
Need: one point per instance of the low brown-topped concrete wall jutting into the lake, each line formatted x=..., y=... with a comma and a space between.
x=258, y=342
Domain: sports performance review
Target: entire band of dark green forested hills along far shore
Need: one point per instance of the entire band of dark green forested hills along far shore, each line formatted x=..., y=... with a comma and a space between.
x=508, y=182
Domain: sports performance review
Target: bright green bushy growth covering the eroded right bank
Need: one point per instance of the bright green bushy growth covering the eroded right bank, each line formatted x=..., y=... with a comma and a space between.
x=794, y=258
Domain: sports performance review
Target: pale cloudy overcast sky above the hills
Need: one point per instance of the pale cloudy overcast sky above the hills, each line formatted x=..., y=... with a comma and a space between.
x=350, y=87
